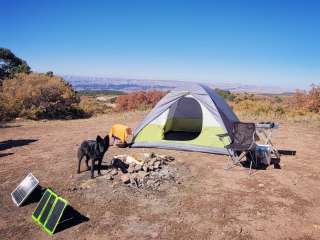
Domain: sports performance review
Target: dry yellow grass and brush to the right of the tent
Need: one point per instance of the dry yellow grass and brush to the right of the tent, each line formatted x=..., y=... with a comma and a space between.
x=300, y=107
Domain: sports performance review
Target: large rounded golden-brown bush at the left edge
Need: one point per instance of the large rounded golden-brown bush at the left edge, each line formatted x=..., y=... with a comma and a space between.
x=38, y=96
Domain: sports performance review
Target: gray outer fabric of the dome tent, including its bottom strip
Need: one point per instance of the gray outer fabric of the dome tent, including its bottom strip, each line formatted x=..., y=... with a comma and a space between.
x=215, y=104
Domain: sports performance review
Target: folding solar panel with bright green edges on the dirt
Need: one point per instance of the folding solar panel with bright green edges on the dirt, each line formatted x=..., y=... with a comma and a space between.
x=49, y=211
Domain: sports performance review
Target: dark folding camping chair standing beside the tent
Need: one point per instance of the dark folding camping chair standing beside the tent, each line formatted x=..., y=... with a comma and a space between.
x=242, y=144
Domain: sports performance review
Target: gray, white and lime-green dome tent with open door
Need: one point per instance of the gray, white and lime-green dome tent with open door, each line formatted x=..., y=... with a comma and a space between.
x=188, y=118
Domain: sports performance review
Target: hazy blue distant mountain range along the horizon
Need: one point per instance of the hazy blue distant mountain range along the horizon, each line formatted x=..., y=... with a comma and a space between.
x=121, y=84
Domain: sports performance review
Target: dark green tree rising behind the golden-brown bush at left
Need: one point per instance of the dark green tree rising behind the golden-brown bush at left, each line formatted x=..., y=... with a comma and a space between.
x=11, y=64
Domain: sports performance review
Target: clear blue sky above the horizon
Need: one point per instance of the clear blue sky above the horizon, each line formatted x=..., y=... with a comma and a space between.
x=251, y=42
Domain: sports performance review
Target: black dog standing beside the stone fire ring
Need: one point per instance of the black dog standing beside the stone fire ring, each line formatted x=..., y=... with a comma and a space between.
x=93, y=150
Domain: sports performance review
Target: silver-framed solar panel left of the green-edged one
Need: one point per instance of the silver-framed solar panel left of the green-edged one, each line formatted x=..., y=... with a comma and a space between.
x=24, y=189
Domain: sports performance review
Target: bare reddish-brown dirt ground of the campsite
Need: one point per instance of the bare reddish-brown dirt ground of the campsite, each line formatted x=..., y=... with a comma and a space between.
x=207, y=203
